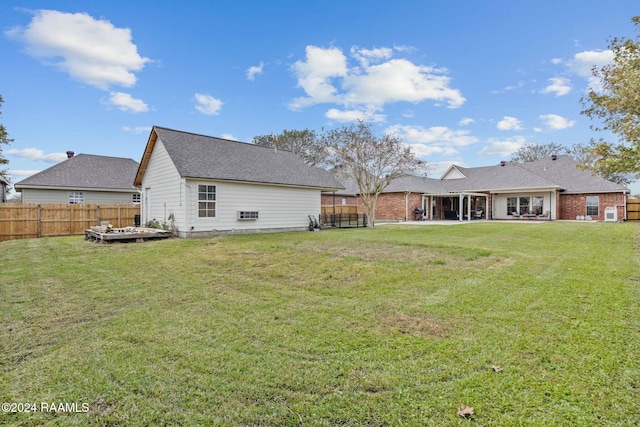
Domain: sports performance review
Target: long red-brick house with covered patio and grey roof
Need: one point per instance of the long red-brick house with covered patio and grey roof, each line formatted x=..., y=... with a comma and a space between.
x=550, y=188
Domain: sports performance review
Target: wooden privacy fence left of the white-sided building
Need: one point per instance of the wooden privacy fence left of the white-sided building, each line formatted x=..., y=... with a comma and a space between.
x=29, y=220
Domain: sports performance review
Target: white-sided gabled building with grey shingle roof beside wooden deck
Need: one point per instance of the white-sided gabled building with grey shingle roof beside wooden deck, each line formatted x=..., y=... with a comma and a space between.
x=205, y=185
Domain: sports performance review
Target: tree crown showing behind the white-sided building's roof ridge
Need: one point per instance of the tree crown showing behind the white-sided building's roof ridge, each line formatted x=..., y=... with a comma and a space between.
x=305, y=143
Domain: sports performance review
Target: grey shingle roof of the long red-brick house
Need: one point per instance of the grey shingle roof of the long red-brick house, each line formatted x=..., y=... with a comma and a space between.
x=561, y=173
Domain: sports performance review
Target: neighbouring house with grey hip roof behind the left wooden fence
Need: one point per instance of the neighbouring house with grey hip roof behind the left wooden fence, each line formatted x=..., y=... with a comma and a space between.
x=83, y=178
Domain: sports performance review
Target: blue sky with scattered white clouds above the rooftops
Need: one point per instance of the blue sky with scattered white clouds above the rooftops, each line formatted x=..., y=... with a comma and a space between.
x=465, y=82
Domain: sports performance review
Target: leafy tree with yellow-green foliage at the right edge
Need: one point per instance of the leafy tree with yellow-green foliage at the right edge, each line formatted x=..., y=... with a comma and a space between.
x=617, y=105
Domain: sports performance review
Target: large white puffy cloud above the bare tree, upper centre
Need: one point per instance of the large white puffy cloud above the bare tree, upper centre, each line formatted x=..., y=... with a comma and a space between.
x=326, y=77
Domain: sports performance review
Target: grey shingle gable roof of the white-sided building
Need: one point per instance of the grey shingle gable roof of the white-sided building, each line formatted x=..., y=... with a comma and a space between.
x=207, y=157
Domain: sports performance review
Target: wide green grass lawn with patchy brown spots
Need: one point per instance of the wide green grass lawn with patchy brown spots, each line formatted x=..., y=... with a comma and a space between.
x=398, y=325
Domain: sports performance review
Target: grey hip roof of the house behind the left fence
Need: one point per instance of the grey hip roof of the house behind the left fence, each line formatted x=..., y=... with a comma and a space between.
x=86, y=171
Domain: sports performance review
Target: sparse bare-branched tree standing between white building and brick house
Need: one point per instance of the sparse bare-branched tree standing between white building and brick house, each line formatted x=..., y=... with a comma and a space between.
x=371, y=161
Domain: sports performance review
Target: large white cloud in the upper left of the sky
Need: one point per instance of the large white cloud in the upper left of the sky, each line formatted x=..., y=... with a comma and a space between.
x=90, y=50
